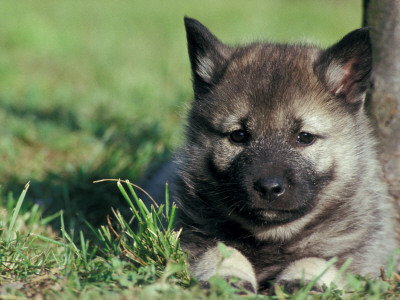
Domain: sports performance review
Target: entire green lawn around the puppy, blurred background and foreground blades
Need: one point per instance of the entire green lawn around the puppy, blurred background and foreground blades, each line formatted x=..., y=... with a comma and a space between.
x=98, y=89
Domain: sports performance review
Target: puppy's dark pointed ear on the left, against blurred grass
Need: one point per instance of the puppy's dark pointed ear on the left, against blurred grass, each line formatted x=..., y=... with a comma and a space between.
x=208, y=56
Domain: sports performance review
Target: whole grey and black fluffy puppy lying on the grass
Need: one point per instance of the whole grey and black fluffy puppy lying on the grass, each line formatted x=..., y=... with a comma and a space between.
x=280, y=163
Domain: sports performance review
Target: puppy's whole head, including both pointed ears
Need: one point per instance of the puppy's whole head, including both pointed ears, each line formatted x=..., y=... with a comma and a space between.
x=265, y=122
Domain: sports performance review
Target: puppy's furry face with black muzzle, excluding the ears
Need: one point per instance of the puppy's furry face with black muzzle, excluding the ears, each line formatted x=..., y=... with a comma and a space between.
x=263, y=126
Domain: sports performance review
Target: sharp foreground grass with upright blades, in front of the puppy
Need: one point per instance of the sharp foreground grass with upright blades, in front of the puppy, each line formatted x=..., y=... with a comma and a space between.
x=122, y=263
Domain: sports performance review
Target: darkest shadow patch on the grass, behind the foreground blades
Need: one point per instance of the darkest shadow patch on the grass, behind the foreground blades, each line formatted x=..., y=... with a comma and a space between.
x=78, y=197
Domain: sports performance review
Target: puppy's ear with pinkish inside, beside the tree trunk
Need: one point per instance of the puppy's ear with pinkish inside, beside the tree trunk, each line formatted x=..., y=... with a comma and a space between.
x=345, y=68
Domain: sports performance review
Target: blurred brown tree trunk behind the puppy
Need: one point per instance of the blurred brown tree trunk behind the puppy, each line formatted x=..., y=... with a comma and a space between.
x=383, y=99
